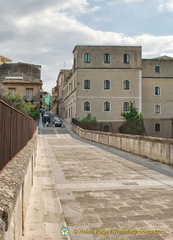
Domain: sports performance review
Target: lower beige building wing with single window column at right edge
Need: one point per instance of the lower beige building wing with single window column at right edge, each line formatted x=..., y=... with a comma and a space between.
x=157, y=96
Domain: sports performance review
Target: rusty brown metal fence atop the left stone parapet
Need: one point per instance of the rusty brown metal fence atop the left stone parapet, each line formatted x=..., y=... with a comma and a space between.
x=16, y=129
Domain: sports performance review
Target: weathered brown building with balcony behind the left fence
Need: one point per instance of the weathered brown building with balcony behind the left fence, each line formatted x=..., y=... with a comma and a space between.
x=22, y=78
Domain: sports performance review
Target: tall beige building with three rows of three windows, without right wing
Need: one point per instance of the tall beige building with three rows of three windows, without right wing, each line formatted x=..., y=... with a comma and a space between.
x=103, y=81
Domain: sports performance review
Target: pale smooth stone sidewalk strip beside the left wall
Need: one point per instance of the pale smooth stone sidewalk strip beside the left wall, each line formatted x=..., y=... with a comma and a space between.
x=44, y=214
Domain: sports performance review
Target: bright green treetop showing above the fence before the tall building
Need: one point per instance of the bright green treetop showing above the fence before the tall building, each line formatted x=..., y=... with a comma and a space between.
x=133, y=114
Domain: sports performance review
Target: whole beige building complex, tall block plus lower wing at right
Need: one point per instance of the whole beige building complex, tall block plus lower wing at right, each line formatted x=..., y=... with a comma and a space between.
x=105, y=79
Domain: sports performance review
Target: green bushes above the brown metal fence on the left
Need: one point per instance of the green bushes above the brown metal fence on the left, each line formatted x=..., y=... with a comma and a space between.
x=19, y=103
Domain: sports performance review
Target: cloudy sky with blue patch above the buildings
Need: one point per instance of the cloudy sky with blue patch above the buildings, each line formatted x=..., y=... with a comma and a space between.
x=45, y=32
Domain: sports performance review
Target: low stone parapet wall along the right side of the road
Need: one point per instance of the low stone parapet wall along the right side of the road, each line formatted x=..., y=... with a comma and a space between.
x=159, y=149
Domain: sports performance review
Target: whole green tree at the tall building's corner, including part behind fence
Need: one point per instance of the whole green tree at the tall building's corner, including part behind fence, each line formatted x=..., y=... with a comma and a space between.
x=134, y=122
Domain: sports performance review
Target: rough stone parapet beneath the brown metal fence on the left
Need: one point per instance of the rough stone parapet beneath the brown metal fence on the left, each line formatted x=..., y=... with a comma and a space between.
x=16, y=180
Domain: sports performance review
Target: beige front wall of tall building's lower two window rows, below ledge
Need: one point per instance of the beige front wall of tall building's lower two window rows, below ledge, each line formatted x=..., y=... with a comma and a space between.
x=97, y=95
